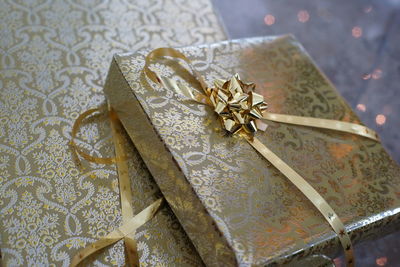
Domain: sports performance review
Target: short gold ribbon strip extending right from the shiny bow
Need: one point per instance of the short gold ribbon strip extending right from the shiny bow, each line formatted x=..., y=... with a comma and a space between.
x=323, y=123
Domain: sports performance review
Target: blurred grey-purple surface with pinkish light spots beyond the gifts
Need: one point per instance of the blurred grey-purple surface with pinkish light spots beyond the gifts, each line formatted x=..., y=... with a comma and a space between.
x=357, y=44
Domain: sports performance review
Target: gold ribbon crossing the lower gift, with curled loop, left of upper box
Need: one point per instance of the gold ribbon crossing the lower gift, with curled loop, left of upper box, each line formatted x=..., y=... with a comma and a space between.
x=130, y=223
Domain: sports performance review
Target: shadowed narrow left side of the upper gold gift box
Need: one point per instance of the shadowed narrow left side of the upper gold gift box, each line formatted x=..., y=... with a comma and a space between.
x=210, y=242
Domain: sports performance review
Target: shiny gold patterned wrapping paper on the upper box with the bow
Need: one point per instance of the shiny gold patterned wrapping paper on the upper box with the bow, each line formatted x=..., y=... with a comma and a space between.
x=221, y=190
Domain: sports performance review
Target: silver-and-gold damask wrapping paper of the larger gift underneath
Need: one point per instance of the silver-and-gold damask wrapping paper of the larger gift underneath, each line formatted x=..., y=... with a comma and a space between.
x=54, y=57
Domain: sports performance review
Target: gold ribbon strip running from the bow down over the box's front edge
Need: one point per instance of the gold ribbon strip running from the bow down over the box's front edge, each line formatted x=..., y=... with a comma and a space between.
x=316, y=199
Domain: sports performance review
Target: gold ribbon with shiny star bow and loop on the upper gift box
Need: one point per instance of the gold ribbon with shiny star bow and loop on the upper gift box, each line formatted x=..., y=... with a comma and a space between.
x=242, y=111
